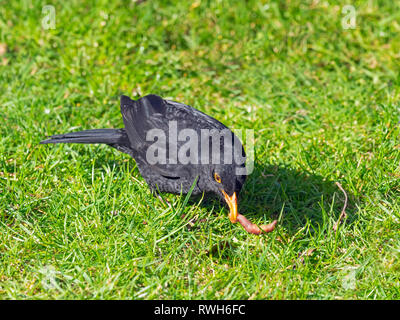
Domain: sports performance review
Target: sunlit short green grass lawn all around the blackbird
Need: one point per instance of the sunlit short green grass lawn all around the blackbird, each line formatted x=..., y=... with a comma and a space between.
x=78, y=221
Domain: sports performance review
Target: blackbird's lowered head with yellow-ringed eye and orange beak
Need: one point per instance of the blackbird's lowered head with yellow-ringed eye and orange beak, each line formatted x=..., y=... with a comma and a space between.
x=227, y=184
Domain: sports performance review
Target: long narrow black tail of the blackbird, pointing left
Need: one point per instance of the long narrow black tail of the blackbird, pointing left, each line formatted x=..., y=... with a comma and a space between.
x=107, y=136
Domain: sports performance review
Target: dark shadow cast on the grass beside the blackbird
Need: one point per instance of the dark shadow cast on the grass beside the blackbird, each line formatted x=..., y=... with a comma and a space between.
x=294, y=197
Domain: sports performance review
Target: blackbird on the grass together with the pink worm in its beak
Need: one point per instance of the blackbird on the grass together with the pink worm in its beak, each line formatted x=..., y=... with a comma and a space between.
x=175, y=145
